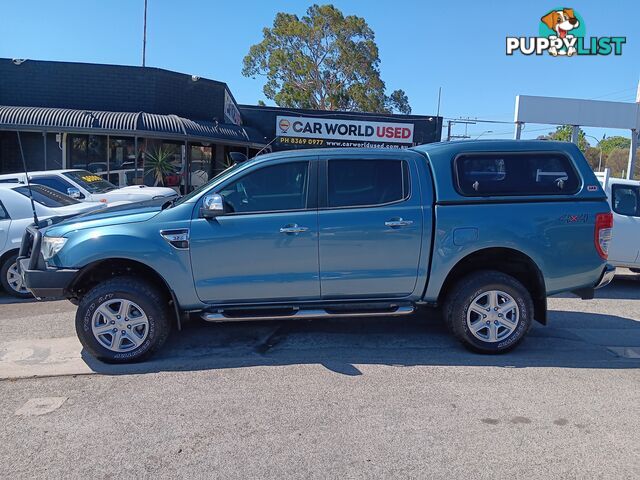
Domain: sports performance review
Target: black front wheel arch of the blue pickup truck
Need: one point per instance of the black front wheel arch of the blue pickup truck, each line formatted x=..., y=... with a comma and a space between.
x=101, y=270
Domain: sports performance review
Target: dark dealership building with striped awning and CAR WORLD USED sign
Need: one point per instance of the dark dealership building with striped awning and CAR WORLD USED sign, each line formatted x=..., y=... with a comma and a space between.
x=121, y=122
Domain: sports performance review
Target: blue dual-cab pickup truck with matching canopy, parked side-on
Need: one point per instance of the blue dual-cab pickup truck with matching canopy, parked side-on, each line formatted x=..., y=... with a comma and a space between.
x=485, y=229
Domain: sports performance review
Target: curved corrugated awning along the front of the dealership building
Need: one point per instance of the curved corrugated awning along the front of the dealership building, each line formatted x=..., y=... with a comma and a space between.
x=142, y=124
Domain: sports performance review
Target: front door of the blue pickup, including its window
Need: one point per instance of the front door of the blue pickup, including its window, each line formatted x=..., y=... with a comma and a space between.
x=265, y=248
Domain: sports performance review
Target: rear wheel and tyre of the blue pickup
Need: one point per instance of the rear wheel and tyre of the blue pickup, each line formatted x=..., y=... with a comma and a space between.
x=489, y=312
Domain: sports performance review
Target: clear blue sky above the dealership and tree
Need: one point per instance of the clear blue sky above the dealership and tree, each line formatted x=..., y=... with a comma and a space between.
x=424, y=45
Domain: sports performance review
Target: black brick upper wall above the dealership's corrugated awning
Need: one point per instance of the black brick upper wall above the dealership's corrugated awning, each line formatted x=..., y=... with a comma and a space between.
x=109, y=87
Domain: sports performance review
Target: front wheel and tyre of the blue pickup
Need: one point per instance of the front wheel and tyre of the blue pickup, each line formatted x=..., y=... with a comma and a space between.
x=123, y=320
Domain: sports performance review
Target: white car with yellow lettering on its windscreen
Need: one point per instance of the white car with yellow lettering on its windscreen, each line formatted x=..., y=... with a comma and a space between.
x=90, y=187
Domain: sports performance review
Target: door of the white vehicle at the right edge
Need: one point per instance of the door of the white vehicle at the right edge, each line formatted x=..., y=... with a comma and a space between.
x=625, y=203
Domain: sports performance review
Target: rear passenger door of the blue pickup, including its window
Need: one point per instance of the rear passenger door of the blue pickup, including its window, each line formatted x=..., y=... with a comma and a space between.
x=370, y=227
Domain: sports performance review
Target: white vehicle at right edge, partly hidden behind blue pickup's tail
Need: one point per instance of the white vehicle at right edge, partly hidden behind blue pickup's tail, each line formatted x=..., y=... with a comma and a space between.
x=624, y=198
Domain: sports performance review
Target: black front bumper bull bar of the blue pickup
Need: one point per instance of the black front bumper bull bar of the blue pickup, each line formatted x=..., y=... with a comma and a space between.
x=42, y=281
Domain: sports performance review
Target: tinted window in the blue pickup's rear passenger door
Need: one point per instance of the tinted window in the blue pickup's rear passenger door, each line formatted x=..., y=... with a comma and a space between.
x=357, y=183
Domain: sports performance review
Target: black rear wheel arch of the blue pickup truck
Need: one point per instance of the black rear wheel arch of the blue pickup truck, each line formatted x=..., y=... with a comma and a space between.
x=506, y=260
